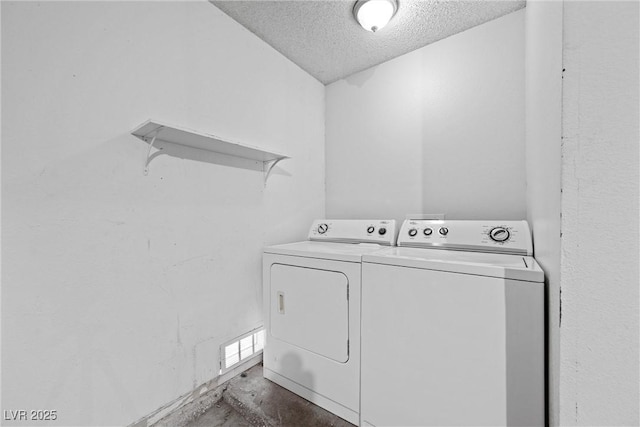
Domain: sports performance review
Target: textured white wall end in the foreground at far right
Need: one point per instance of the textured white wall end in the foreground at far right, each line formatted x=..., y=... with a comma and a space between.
x=599, y=329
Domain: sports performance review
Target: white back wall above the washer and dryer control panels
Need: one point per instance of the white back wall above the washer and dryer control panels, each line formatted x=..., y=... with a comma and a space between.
x=440, y=129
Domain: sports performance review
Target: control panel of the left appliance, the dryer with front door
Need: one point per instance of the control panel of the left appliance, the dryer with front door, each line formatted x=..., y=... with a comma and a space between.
x=380, y=231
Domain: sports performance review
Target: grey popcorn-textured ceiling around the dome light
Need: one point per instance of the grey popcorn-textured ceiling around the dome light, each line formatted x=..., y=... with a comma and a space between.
x=324, y=39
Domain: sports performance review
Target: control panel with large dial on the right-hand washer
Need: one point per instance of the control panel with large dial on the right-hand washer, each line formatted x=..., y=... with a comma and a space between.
x=508, y=237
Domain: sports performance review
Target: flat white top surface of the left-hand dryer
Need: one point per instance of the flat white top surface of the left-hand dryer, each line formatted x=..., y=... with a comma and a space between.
x=351, y=252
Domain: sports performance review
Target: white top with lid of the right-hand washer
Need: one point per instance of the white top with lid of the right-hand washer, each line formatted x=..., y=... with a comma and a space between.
x=482, y=264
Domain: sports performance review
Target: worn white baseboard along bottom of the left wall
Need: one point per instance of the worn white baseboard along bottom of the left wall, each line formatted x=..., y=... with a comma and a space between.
x=189, y=406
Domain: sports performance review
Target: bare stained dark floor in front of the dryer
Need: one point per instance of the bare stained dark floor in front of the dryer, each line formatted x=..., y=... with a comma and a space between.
x=249, y=400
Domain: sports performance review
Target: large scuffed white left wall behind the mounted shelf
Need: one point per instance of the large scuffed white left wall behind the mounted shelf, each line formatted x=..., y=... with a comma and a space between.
x=118, y=288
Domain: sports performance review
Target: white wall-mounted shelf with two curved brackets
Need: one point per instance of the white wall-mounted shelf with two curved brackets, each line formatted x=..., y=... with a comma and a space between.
x=152, y=130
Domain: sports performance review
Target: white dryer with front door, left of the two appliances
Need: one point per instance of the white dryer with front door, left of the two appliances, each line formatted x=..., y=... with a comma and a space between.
x=311, y=294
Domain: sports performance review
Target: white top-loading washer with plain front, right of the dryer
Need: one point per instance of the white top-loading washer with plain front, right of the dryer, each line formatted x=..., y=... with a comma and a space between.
x=453, y=327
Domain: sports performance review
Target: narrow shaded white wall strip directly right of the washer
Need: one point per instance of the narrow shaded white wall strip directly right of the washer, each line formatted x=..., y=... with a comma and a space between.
x=543, y=165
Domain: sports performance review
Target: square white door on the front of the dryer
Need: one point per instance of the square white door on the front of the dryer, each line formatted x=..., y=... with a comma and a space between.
x=309, y=309
